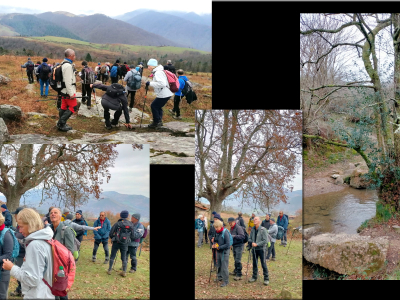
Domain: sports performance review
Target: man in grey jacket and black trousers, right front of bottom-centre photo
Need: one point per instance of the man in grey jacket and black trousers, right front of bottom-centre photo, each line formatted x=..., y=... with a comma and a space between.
x=258, y=241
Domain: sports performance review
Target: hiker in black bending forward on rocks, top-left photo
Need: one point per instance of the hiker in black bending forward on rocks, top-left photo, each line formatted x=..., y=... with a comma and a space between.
x=114, y=99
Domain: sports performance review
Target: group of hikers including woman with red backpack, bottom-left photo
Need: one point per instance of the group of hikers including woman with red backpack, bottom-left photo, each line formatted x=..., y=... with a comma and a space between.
x=54, y=244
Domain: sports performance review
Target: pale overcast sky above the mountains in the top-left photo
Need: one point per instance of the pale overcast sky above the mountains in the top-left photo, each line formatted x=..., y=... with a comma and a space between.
x=110, y=8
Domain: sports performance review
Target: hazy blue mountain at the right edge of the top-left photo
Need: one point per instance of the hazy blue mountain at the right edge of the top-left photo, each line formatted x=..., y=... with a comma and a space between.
x=175, y=28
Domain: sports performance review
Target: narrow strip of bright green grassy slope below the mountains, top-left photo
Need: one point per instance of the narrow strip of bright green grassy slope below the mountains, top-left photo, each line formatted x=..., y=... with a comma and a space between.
x=113, y=47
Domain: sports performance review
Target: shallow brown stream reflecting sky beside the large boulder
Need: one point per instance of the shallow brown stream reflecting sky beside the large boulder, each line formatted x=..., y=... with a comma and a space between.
x=340, y=212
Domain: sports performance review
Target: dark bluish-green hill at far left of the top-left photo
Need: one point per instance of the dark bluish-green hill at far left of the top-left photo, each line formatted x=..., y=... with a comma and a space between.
x=33, y=26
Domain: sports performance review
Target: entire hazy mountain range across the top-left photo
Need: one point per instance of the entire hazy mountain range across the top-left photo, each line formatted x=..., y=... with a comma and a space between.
x=139, y=27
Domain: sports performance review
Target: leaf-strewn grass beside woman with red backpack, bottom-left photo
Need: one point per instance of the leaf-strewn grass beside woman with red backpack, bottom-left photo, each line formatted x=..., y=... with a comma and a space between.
x=93, y=282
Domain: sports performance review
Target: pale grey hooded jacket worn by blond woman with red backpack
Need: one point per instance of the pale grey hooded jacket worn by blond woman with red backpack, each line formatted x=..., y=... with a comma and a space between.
x=38, y=257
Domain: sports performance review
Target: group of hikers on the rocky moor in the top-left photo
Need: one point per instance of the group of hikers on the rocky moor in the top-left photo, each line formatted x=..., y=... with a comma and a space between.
x=62, y=78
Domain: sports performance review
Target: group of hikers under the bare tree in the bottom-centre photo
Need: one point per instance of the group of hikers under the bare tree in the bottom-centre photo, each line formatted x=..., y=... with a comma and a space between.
x=260, y=236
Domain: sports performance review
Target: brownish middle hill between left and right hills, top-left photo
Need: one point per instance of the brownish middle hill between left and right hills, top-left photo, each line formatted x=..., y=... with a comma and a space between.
x=101, y=29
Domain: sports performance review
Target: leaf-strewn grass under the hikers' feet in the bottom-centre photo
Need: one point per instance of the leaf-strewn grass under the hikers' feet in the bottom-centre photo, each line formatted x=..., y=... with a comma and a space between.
x=284, y=273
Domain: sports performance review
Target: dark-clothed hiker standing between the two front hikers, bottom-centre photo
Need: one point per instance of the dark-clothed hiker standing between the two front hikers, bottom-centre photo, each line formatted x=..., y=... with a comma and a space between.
x=238, y=236
